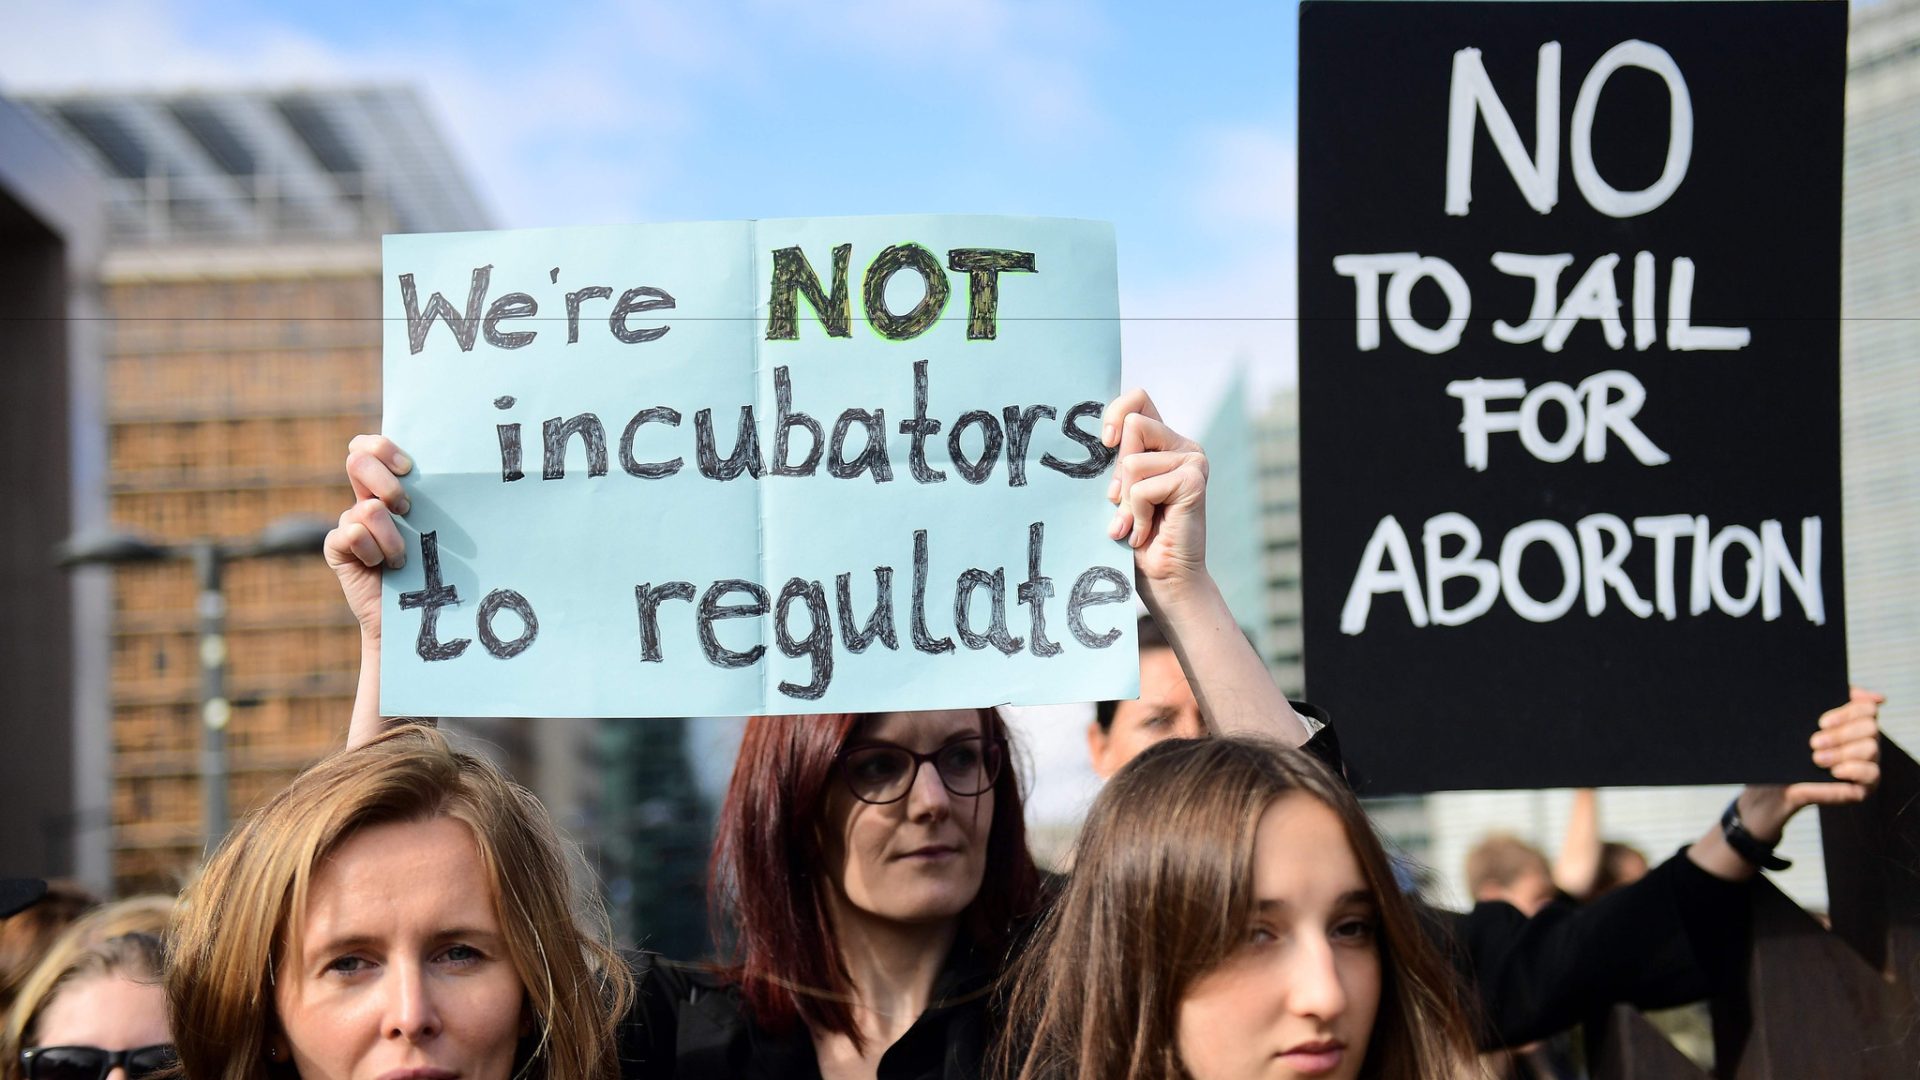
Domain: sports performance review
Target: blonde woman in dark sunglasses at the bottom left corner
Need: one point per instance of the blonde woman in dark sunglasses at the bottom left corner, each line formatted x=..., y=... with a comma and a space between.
x=93, y=1016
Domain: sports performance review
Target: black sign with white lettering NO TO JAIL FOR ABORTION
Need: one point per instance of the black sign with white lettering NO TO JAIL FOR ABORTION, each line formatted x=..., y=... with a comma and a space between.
x=1570, y=387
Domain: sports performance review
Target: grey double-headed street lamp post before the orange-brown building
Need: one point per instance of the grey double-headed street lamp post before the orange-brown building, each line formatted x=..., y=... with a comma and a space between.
x=287, y=537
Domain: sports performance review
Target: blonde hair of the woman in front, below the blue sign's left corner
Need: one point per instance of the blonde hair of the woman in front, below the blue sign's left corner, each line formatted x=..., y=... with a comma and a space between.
x=247, y=906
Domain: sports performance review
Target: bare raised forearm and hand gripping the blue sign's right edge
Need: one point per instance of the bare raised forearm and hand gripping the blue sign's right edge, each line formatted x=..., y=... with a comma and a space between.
x=1161, y=495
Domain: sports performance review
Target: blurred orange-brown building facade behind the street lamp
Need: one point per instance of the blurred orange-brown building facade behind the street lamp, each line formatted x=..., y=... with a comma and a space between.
x=235, y=381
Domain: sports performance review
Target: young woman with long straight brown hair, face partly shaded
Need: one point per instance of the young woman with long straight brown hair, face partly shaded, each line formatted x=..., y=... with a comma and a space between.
x=1232, y=916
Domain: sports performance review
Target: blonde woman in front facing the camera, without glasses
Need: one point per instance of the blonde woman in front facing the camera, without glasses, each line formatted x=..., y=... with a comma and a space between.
x=400, y=910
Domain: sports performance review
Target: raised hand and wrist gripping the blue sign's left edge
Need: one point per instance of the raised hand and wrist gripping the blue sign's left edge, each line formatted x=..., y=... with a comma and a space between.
x=358, y=551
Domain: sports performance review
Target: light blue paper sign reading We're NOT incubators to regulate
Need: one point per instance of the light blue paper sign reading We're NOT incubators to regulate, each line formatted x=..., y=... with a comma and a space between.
x=756, y=468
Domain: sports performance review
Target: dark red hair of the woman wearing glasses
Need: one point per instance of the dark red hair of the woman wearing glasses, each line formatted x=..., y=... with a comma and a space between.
x=767, y=879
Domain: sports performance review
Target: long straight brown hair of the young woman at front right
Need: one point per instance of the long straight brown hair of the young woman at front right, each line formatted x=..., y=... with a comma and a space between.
x=1163, y=893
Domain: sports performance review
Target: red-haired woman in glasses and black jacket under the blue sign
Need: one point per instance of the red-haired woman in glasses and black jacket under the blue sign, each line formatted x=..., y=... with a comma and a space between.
x=875, y=871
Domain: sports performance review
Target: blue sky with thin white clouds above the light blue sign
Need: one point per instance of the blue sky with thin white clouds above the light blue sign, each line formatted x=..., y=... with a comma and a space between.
x=1176, y=126
